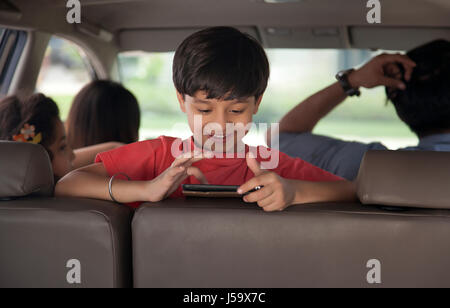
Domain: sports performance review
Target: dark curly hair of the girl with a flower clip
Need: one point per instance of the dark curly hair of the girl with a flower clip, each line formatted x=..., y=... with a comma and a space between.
x=37, y=110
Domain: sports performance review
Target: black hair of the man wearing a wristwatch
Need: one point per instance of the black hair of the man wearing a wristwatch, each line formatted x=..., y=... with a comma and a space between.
x=425, y=104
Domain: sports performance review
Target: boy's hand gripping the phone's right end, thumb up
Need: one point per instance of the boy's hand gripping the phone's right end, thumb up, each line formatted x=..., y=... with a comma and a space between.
x=276, y=195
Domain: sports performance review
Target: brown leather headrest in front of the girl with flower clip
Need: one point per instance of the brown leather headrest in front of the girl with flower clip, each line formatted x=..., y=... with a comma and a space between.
x=25, y=169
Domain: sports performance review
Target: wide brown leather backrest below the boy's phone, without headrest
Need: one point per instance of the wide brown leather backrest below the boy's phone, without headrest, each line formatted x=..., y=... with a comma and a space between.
x=227, y=243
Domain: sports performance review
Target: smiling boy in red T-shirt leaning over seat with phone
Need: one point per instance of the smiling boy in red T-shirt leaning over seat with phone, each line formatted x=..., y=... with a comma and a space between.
x=220, y=75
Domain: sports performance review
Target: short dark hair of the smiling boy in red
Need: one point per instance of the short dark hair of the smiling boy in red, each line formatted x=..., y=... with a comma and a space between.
x=222, y=61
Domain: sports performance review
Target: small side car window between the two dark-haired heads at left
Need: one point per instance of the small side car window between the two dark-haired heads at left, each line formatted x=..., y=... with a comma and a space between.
x=64, y=71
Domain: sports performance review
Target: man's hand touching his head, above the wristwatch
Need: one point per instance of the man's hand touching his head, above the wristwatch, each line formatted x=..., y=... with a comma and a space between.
x=375, y=72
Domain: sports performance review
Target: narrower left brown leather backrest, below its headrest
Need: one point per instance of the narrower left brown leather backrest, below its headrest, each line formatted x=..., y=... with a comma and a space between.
x=39, y=236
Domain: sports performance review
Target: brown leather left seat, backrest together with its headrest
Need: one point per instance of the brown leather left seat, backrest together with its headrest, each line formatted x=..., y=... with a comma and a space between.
x=42, y=238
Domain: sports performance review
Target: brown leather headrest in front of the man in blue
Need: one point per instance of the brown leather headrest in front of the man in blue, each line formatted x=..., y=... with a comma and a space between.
x=405, y=179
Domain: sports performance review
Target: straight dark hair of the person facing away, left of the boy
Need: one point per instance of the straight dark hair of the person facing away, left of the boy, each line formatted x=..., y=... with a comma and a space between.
x=103, y=111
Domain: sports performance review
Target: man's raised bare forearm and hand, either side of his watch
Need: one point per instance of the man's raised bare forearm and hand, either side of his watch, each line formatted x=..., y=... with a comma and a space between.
x=304, y=117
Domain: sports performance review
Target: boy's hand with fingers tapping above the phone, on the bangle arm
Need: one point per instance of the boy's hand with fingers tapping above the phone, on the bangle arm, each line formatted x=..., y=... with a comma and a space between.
x=169, y=181
